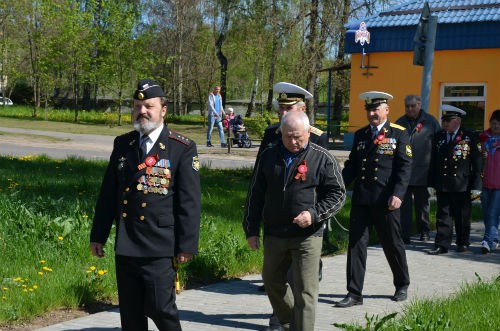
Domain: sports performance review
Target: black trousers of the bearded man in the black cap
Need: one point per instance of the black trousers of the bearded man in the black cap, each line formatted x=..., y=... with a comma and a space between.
x=146, y=288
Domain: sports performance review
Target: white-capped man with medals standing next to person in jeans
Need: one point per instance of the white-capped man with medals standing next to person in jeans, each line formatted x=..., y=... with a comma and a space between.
x=457, y=174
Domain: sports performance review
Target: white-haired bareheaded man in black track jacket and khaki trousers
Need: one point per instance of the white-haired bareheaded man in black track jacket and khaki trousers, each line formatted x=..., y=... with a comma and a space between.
x=296, y=187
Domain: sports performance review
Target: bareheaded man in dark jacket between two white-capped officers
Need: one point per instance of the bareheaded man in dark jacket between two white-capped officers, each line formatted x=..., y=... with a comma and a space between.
x=421, y=127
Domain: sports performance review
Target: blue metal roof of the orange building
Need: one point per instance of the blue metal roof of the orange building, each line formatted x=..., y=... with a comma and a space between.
x=462, y=24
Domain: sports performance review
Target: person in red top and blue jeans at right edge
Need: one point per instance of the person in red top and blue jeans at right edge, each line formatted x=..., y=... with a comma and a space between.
x=490, y=196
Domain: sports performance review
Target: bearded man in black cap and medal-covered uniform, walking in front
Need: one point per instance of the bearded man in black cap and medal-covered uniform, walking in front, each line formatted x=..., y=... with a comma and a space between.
x=151, y=190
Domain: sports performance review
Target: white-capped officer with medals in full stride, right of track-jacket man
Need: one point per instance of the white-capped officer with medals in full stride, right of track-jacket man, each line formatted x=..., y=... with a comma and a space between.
x=380, y=167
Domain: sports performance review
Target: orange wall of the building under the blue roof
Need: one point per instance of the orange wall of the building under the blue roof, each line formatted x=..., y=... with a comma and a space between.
x=397, y=75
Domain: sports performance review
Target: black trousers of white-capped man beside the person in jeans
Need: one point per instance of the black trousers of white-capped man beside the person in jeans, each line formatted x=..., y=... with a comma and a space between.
x=453, y=205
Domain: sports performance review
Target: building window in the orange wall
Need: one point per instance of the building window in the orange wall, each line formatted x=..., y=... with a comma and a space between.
x=471, y=97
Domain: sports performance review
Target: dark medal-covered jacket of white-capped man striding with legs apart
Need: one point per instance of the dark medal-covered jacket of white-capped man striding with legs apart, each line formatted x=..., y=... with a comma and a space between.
x=379, y=168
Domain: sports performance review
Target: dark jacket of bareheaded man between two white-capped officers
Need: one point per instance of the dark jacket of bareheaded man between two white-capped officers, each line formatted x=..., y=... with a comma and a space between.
x=421, y=131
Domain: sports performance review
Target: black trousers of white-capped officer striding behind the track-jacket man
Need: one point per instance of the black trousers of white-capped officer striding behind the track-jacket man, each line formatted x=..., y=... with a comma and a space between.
x=388, y=228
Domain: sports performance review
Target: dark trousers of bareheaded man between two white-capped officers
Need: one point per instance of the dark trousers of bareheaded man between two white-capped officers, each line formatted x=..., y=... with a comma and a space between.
x=418, y=197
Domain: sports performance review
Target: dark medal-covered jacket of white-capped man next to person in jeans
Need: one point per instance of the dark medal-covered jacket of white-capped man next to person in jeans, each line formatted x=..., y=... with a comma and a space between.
x=458, y=164
